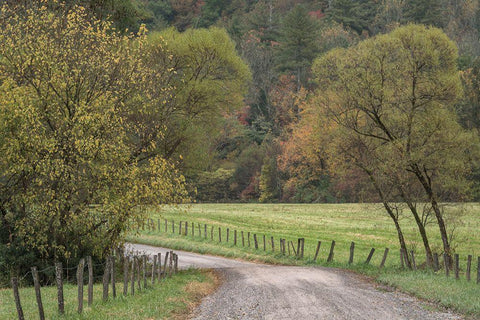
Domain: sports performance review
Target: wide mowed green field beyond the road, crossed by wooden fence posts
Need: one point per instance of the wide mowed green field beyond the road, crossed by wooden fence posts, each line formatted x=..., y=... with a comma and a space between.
x=365, y=224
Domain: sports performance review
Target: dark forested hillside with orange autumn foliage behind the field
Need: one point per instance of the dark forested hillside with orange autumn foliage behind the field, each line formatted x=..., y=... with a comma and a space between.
x=261, y=151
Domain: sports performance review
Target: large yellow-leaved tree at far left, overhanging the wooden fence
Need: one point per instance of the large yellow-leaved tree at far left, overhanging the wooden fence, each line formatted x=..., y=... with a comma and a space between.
x=70, y=180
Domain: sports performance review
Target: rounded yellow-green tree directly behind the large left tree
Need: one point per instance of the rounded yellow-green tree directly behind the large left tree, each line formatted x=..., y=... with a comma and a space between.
x=207, y=80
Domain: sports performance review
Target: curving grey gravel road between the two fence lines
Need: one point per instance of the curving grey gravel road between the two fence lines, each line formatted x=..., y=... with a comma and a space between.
x=256, y=291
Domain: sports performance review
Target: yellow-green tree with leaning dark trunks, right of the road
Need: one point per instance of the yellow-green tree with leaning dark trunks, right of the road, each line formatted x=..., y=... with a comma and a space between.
x=392, y=96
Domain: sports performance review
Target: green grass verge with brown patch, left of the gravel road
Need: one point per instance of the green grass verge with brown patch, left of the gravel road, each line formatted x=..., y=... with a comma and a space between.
x=173, y=298
